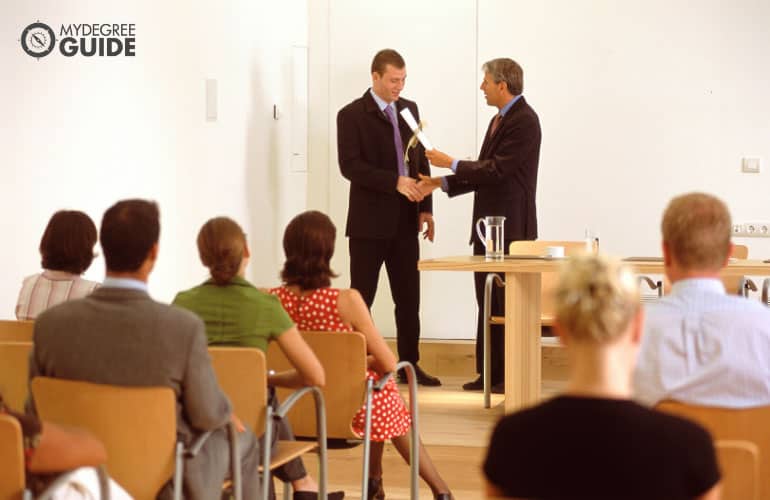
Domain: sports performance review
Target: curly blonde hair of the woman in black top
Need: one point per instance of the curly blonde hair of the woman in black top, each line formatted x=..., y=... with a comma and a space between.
x=596, y=298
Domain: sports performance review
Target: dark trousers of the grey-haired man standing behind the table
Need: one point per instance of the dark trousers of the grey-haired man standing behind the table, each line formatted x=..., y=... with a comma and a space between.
x=497, y=340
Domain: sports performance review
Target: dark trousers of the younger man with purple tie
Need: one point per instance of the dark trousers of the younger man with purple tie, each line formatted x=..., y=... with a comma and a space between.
x=400, y=256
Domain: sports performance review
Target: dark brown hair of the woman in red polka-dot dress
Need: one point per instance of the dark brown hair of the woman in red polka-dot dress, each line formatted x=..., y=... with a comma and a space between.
x=308, y=243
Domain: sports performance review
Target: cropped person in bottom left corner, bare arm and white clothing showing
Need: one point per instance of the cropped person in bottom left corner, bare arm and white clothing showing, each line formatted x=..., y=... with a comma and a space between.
x=50, y=450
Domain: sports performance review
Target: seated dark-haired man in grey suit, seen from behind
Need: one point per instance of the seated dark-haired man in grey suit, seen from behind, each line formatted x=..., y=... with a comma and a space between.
x=118, y=335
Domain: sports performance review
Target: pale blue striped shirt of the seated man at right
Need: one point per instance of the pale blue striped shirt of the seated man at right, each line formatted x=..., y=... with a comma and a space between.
x=702, y=346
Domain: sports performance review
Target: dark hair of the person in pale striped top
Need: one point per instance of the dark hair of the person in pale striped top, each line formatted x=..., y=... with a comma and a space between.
x=68, y=242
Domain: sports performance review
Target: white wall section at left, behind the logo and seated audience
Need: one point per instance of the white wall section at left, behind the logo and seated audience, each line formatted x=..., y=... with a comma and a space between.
x=82, y=133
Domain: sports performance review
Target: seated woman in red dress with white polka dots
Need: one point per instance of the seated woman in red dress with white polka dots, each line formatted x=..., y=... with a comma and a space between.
x=308, y=243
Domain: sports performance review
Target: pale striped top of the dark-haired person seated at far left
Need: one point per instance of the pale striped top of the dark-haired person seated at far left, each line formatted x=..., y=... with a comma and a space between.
x=43, y=290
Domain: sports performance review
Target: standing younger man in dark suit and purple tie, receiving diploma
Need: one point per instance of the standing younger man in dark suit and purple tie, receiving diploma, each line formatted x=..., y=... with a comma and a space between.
x=386, y=211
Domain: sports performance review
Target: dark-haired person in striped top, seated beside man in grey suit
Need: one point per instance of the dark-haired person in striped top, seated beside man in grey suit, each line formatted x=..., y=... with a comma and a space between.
x=67, y=249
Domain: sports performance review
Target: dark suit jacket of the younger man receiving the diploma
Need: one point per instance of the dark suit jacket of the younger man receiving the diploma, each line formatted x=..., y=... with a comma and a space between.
x=367, y=158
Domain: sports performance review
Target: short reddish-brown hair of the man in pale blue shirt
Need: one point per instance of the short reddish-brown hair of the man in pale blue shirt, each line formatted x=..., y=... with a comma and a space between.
x=696, y=229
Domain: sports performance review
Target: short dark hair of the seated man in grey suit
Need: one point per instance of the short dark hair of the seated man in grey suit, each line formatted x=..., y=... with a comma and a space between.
x=129, y=230
